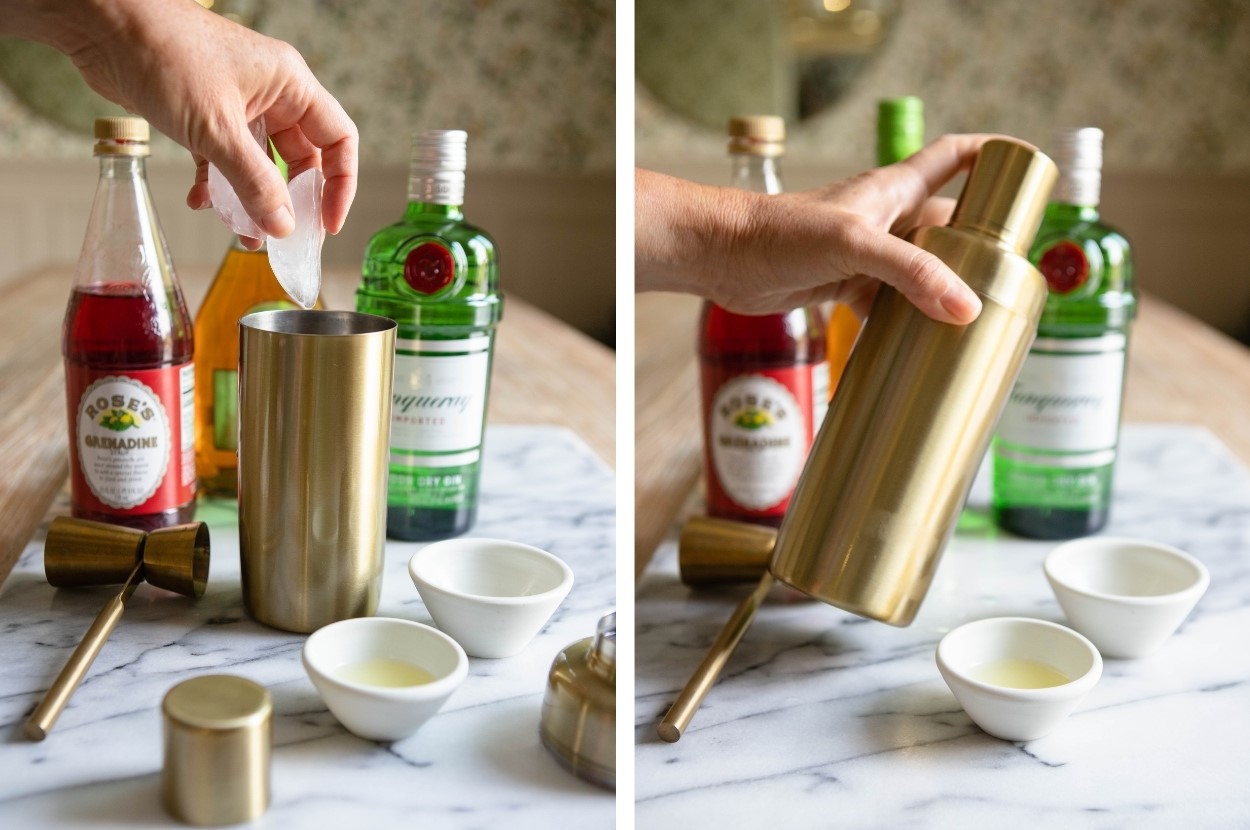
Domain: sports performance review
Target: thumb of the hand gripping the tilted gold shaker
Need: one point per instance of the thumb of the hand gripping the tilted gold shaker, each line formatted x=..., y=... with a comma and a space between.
x=921, y=277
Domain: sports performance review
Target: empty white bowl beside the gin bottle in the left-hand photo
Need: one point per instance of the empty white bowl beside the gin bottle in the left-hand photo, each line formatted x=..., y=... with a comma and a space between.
x=492, y=596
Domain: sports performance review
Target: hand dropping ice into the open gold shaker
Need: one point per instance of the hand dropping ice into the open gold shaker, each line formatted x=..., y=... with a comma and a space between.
x=202, y=79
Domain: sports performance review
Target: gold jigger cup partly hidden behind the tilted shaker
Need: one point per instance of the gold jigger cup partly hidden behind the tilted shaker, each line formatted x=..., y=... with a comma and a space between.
x=719, y=552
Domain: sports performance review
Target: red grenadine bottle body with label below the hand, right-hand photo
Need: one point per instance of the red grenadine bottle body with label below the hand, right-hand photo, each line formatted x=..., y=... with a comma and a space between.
x=764, y=394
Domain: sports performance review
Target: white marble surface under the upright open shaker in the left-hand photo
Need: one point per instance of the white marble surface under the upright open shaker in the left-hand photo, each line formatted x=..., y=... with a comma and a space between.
x=477, y=764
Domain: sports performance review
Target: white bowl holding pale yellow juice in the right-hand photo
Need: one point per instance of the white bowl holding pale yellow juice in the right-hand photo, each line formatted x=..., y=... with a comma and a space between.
x=1009, y=712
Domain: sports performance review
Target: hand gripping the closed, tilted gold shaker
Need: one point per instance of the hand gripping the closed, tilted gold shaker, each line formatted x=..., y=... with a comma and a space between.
x=758, y=254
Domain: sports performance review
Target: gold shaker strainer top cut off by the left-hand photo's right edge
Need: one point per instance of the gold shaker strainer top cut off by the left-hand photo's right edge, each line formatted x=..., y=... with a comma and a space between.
x=579, y=707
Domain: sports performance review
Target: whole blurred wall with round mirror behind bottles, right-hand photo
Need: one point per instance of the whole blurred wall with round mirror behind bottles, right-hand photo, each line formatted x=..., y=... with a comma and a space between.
x=1169, y=83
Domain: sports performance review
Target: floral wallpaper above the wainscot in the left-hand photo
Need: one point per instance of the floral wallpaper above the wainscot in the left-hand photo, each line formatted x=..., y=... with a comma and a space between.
x=533, y=81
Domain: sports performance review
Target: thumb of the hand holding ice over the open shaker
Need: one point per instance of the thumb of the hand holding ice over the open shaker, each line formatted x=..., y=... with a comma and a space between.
x=254, y=178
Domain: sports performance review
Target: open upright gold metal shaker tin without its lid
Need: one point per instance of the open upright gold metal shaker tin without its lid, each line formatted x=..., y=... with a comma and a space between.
x=314, y=429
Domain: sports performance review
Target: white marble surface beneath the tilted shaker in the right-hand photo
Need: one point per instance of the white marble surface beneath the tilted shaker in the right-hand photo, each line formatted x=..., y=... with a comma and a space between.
x=827, y=721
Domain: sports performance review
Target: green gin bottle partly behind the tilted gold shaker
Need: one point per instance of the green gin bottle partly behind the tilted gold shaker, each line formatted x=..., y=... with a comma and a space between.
x=1056, y=448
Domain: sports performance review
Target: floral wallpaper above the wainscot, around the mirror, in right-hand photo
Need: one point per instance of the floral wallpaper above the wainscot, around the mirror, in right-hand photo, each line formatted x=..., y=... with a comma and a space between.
x=1168, y=82
